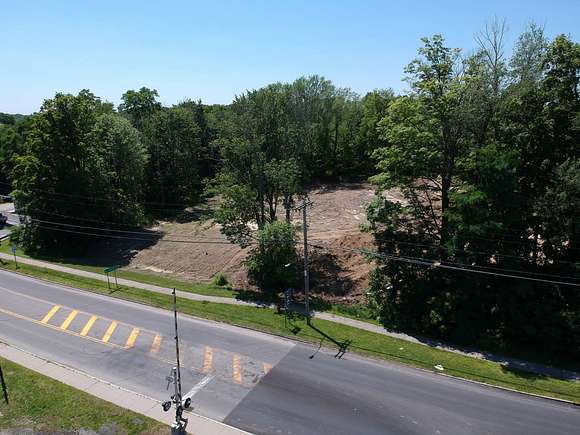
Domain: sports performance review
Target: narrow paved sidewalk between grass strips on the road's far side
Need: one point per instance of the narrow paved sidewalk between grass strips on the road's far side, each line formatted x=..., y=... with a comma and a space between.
x=512, y=362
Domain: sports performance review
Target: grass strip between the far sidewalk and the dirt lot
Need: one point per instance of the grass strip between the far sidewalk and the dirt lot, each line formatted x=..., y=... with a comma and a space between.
x=144, y=277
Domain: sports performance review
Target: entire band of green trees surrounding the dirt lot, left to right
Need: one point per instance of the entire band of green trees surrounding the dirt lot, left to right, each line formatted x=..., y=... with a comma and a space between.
x=484, y=147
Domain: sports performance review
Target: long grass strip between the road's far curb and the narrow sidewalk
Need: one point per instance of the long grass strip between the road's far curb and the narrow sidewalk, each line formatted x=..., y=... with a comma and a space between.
x=333, y=335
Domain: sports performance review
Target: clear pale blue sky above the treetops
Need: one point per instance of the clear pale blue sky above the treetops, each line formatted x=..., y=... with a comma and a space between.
x=214, y=50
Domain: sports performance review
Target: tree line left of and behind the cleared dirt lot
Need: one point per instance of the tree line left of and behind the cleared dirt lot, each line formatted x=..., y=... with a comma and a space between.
x=81, y=158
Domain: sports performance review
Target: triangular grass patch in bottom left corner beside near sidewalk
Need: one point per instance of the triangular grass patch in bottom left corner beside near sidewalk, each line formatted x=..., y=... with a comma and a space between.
x=45, y=405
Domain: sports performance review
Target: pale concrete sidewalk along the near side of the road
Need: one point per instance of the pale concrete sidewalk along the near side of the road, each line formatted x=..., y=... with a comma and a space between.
x=112, y=393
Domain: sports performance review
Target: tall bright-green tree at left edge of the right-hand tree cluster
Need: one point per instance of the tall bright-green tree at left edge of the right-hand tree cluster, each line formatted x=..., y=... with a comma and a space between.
x=424, y=133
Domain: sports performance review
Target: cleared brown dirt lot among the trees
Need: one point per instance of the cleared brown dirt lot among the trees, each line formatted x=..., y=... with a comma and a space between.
x=334, y=220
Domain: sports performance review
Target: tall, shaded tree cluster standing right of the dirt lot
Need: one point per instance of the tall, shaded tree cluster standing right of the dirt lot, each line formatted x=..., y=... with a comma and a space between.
x=486, y=151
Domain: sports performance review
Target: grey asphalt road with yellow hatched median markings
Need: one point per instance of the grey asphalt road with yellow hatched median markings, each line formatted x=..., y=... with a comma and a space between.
x=254, y=381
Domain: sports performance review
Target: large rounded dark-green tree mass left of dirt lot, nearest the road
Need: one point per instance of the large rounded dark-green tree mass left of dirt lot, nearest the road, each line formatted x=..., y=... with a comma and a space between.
x=75, y=166
